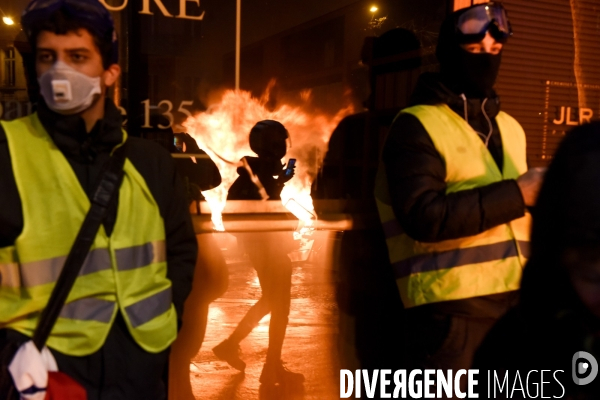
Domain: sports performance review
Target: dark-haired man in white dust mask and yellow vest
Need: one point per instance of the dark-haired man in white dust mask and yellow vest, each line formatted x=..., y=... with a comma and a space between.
x=122, y=314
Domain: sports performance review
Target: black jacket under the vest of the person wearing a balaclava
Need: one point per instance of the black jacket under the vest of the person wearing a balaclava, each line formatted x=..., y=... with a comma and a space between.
x=416, y=178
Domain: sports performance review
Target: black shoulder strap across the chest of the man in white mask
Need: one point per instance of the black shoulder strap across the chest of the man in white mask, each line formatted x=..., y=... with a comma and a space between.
x=104, y=194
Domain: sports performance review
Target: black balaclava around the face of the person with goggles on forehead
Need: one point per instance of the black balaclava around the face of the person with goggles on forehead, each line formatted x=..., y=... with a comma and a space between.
x=462, y=71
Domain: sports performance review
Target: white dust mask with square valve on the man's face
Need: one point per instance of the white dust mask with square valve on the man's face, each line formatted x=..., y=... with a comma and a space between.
x=67, y=91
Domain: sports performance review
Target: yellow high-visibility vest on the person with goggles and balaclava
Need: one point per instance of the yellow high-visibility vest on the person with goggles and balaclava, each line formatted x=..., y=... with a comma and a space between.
x=484, y=264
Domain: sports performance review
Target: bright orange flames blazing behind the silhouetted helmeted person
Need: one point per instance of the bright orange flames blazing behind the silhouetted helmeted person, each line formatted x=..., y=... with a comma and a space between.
x=223, y=130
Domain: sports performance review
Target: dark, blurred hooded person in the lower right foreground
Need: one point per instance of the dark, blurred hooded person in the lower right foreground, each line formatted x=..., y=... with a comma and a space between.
x=559, y=312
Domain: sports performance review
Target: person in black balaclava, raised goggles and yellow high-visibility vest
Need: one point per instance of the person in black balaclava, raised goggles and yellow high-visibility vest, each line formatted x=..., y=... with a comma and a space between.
x=452, y=193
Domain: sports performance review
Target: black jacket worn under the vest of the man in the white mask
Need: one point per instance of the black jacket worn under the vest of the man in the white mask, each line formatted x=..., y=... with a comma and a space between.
x=87, y=154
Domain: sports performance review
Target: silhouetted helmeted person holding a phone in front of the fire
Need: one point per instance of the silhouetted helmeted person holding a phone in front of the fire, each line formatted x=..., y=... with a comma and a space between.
x=268, y=252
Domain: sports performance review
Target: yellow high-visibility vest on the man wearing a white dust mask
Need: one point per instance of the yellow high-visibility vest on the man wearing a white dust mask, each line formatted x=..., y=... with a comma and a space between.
x=124, y=272
